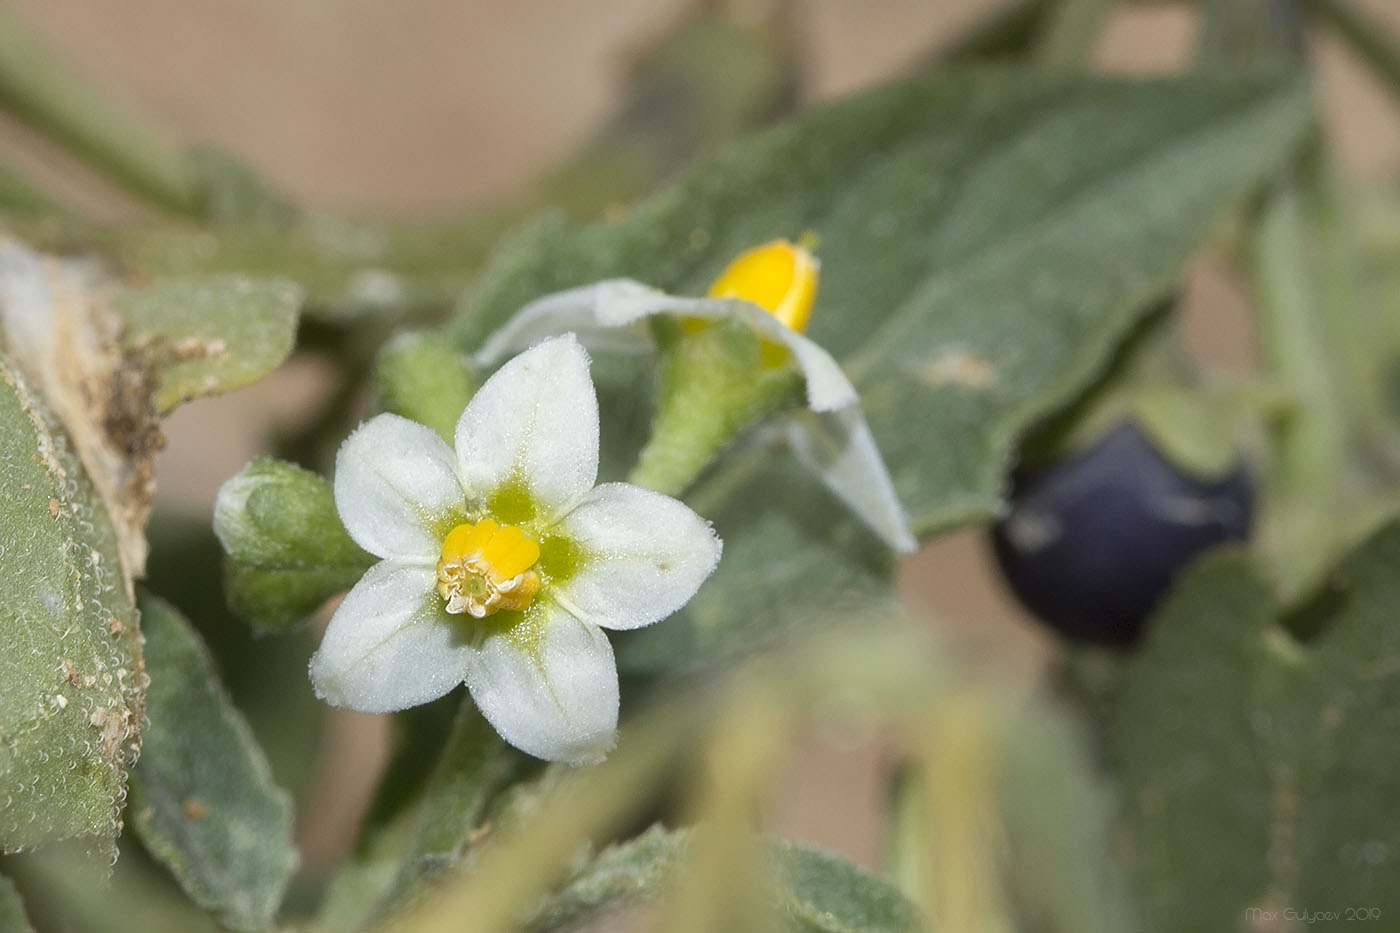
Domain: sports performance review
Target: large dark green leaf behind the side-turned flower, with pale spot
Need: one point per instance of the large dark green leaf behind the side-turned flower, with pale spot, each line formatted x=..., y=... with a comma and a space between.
x=986, y=242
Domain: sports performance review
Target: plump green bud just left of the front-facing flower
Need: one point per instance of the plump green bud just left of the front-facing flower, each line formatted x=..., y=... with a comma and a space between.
x=288, y=551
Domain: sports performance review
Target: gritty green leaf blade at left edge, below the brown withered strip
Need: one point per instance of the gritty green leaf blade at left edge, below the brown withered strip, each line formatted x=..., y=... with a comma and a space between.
x=72, y=680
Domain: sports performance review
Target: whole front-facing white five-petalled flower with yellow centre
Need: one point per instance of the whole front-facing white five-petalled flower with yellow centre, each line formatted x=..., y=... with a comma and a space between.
x=502, y=562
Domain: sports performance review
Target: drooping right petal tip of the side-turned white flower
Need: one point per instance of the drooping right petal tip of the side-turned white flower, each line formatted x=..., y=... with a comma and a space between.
x=839, y=449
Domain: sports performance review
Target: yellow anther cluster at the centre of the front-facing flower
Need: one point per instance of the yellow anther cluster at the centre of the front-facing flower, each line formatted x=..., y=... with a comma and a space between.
x=486, y=568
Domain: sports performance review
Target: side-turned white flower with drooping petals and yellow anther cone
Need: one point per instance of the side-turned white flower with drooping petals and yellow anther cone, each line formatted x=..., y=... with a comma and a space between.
x=772, y=289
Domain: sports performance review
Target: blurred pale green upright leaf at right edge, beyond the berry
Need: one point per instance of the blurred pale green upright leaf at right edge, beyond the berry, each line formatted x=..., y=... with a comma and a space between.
x=1328, y=340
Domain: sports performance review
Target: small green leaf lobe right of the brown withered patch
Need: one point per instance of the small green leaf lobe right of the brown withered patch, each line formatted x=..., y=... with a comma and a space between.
x=211, y=334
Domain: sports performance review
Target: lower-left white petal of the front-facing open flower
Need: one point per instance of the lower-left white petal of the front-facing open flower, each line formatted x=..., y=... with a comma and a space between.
x=388, y=645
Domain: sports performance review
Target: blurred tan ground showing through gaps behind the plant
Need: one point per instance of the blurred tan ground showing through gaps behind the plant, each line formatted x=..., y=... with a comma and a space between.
x=425, y=106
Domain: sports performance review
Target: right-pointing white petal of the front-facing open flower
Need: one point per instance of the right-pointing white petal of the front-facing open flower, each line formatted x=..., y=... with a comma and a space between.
x=646, y=555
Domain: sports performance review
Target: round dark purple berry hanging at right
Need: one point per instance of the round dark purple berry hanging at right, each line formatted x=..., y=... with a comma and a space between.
x=1094, y=541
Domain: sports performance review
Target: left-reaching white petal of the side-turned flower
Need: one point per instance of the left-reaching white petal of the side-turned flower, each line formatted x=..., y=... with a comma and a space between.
x=577, y=312
